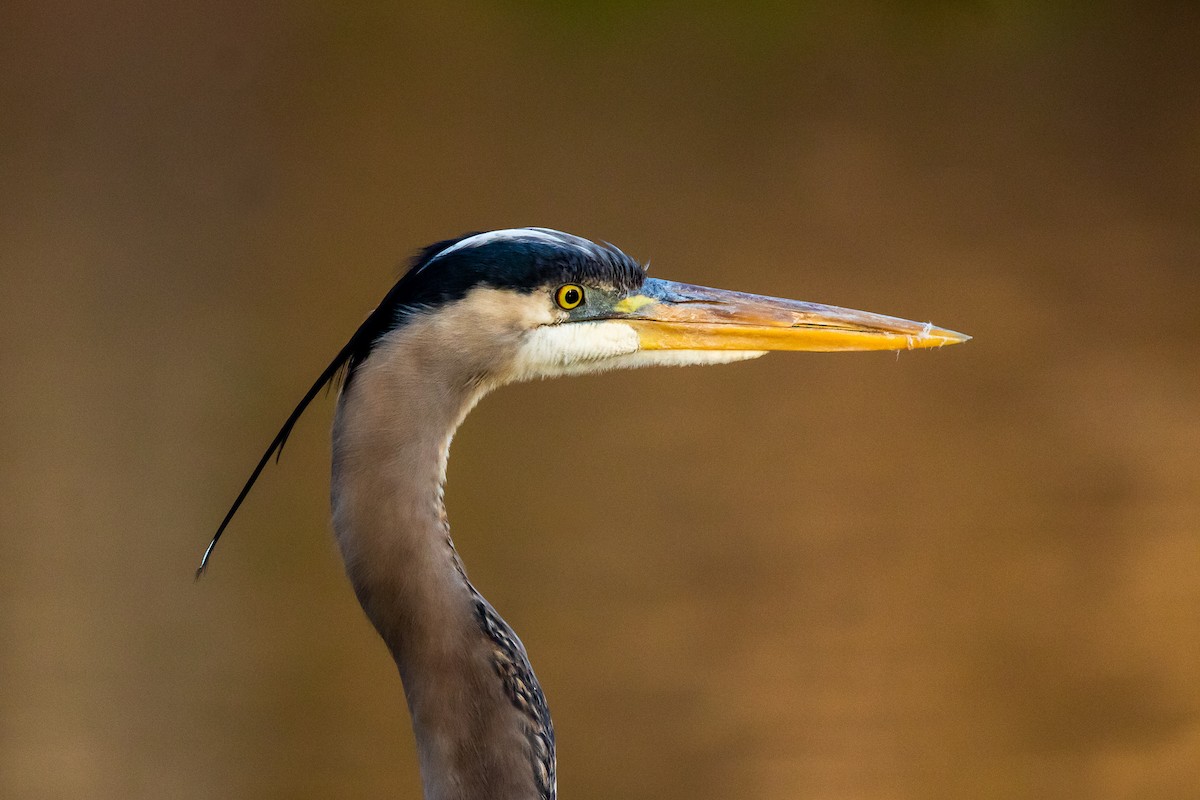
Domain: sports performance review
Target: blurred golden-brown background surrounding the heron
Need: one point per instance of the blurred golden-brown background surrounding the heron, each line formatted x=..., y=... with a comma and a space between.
x=971, y=573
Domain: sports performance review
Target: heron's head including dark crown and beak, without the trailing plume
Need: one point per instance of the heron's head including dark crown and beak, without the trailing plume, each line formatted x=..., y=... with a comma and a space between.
x=532, y=303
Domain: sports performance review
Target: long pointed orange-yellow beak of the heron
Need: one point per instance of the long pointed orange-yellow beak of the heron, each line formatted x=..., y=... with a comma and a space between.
x=671, y=316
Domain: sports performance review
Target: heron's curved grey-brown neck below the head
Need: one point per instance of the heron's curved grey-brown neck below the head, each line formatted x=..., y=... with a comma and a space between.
x=463, y=667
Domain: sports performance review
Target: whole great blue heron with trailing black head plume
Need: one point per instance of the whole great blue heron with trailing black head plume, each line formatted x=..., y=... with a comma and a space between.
x=471, y=315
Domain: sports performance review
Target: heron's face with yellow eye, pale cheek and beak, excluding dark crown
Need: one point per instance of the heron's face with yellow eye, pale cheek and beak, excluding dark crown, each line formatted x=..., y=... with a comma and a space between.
x=581, y=327
